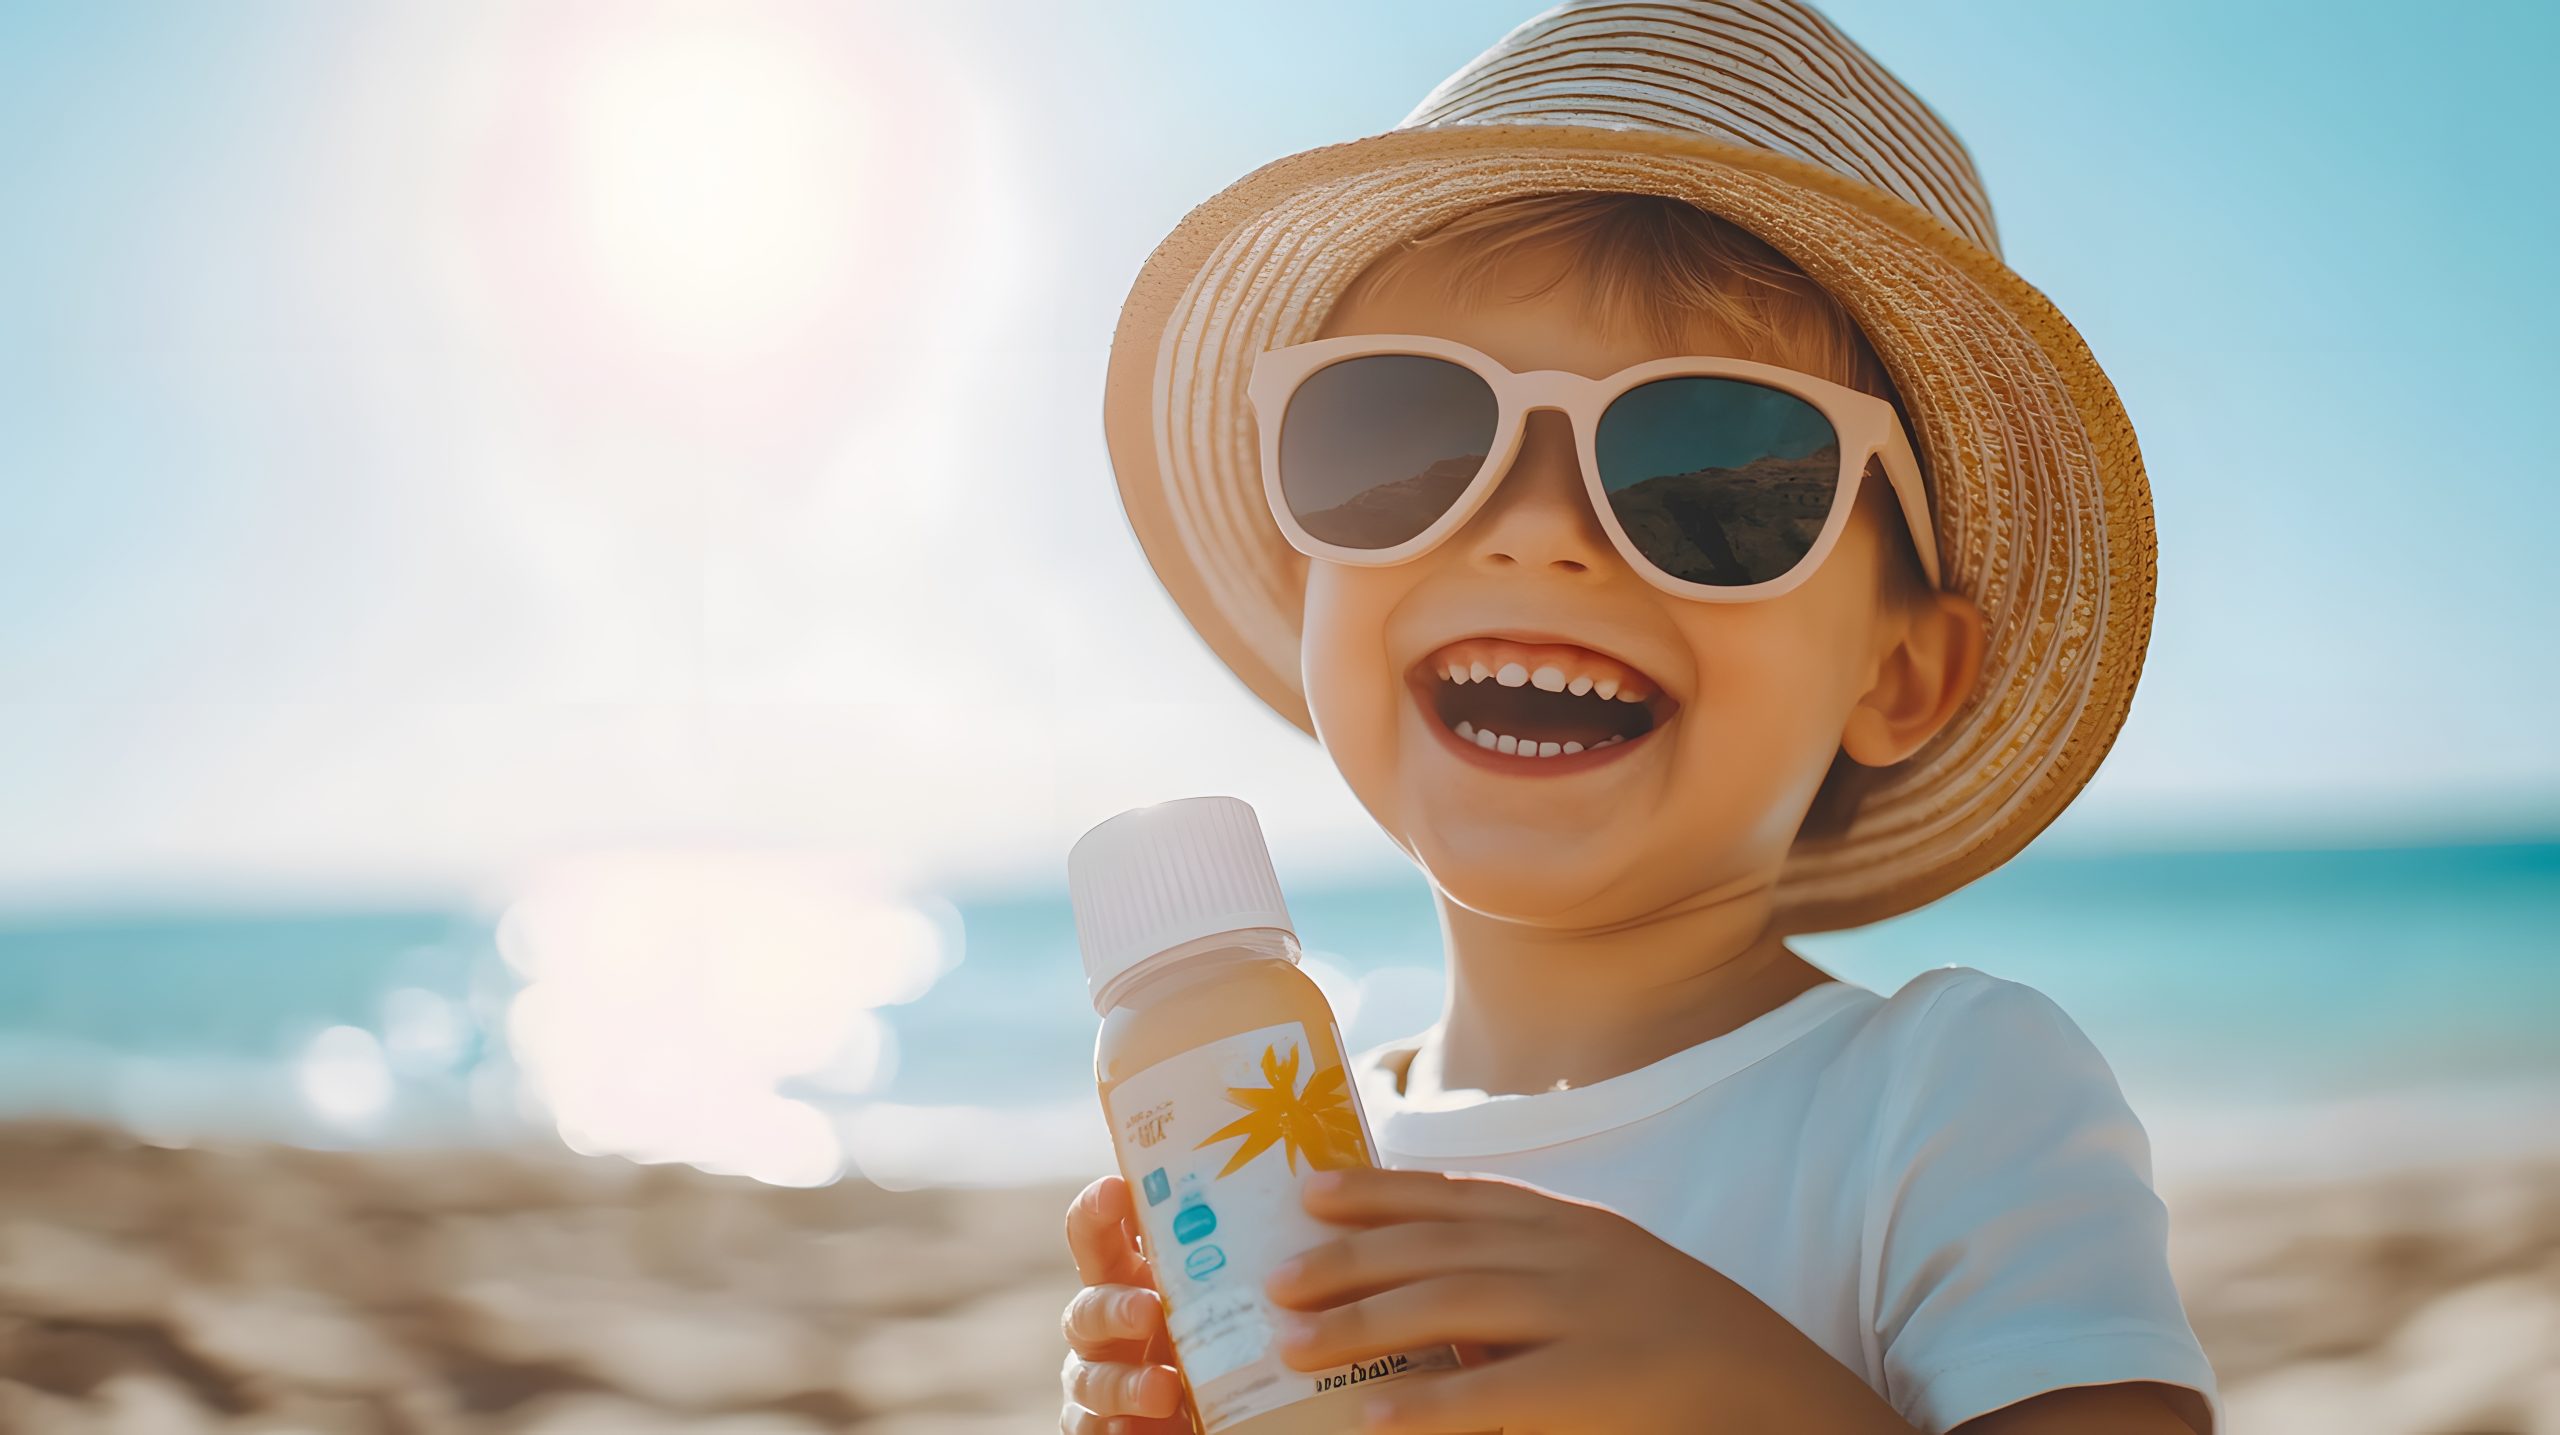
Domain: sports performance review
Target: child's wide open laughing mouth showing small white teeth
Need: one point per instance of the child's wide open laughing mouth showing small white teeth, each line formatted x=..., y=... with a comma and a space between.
x=1537, y=700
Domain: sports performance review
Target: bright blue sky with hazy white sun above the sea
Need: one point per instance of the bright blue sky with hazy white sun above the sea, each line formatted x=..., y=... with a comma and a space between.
x=447, y=436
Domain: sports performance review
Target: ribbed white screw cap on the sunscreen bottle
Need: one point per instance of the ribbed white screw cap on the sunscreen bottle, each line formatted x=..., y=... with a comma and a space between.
x=1169, y=874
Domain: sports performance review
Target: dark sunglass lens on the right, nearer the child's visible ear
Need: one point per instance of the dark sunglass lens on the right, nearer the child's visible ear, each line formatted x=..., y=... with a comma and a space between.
x=1719, y=480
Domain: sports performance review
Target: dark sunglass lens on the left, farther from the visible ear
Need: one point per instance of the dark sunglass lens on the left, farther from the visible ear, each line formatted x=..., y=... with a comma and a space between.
x=1376, y=449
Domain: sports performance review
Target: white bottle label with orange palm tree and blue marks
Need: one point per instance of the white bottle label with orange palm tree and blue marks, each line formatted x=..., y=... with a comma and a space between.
x=1215, y=1145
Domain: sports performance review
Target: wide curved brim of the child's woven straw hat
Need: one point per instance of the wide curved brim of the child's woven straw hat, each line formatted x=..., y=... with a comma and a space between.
x=2044, y=513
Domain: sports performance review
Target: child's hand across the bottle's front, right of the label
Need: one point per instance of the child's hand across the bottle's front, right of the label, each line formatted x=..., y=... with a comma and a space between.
x=1586, y=1321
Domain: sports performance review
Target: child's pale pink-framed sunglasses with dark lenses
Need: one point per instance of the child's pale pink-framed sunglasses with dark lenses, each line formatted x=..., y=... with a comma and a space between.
x=1719, y=480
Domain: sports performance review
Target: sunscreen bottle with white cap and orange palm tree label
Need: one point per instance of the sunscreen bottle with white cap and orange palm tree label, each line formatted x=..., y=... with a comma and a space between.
x=1225, y=1083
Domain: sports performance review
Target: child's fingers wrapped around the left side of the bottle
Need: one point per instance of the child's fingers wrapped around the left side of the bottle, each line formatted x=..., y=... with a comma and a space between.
x=1120, y=1360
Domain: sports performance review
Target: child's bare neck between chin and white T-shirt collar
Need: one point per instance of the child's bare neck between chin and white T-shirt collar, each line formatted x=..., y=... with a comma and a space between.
x=1545, y=1007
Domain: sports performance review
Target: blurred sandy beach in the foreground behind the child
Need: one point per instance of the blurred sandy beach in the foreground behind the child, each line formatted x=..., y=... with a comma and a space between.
x=268, y=1290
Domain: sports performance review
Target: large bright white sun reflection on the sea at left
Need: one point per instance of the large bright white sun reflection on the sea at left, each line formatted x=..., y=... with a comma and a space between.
x=669, y=996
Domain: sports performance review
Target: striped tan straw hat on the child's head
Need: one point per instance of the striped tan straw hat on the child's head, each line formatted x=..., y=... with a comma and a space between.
x=1768, y=116
